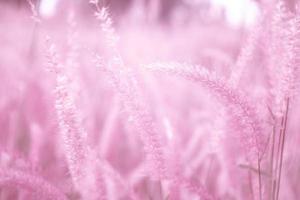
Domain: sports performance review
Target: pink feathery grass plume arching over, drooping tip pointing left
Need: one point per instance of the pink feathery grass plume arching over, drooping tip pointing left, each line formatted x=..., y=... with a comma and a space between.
x=242, y=111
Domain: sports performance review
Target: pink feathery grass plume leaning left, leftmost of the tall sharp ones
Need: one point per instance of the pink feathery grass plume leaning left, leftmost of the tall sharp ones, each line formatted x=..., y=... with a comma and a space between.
x=74, y=138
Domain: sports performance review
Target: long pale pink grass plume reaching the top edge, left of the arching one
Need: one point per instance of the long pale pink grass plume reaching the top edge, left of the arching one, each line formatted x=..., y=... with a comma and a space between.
x=127, y=86
